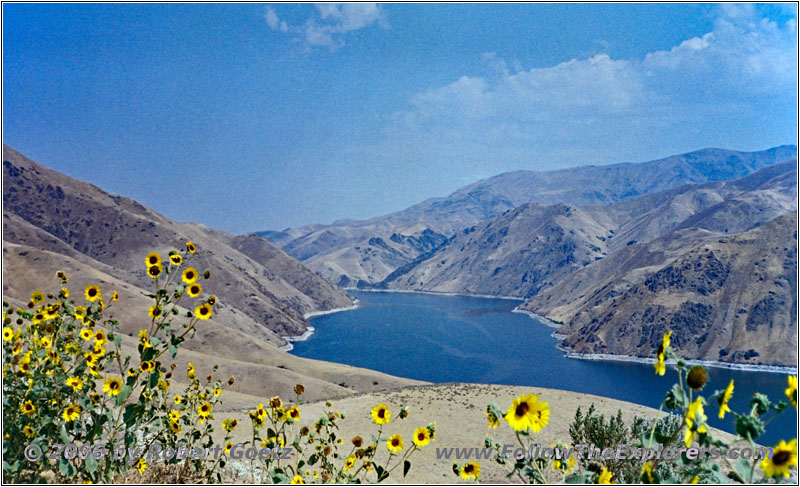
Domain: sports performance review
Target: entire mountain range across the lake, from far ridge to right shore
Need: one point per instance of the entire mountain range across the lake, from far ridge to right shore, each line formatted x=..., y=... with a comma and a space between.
x=618, y=254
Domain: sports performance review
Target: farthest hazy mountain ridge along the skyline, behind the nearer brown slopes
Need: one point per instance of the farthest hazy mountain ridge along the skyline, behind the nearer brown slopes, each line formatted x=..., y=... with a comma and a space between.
x=343, y=253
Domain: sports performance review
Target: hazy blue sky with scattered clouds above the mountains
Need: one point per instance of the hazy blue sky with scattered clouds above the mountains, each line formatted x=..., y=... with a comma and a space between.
x=248, y=117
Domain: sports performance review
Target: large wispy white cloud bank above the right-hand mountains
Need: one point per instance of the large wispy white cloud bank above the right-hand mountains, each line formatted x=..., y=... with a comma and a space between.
x=711, y=84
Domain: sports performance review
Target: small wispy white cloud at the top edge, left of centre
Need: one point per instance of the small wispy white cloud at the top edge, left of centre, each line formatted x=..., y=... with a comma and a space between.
x=332, y=22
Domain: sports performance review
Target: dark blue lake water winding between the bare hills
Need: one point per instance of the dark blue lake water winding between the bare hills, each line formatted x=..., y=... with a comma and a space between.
x=440, y=338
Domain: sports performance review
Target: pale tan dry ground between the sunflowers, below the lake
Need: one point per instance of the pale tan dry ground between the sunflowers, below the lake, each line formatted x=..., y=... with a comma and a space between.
x=457, y=409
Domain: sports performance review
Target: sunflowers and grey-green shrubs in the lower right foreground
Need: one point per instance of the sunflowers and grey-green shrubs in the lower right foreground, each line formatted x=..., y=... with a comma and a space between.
x=684, y=426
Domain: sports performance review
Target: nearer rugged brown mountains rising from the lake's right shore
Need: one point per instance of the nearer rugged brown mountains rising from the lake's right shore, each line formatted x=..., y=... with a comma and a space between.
x=619, y=275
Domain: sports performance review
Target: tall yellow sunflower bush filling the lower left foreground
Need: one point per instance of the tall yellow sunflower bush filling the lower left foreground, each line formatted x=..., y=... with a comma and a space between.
x=67, y=380
